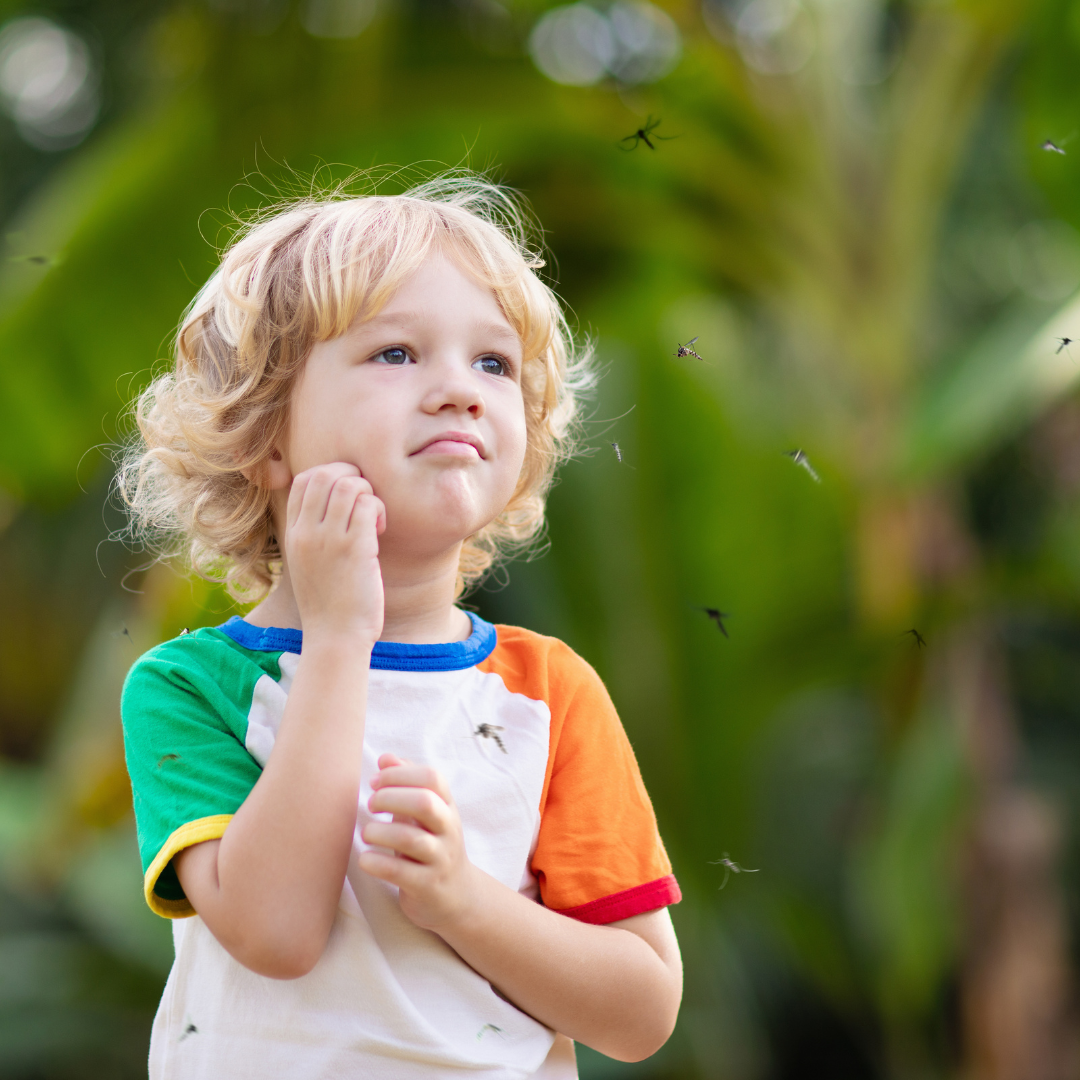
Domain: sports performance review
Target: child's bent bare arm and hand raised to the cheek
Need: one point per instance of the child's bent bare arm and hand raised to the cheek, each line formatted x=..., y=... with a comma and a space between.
x=271, y=887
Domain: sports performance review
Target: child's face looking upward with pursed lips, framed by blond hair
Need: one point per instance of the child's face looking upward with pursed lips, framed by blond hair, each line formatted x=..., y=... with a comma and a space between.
x=426, y=400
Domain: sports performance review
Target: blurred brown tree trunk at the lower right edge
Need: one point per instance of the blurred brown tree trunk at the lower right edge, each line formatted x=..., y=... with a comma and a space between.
x=1017, y=1007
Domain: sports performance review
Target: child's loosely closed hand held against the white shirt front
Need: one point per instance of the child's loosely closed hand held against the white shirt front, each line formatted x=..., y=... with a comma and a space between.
x=431, y=870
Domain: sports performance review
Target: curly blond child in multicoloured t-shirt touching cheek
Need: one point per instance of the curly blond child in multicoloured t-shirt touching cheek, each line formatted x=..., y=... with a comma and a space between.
x=398, y=842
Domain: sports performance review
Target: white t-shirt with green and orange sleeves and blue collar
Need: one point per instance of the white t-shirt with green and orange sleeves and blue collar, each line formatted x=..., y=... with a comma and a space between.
x=551, y=802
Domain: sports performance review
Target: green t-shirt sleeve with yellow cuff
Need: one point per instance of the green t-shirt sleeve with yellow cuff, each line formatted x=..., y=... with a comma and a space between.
x=185, y=710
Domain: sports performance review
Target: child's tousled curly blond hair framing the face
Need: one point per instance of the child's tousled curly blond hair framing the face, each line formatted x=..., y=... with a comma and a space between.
x=300, y=274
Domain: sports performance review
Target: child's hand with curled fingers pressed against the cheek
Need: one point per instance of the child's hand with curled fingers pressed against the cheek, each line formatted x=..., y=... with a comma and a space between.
x=332, y=552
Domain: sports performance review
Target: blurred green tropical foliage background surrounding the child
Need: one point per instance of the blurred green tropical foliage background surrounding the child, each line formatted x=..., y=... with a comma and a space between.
x=867, y=214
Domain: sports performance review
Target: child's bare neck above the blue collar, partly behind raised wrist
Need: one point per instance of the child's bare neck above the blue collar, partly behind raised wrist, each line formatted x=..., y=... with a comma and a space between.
x=418, y=604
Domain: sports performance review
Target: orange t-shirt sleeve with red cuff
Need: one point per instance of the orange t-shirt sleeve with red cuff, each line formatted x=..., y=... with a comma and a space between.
x=599, y=856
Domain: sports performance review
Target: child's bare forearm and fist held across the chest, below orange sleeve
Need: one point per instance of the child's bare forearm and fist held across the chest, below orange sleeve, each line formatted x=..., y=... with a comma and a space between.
x=616, y=989
